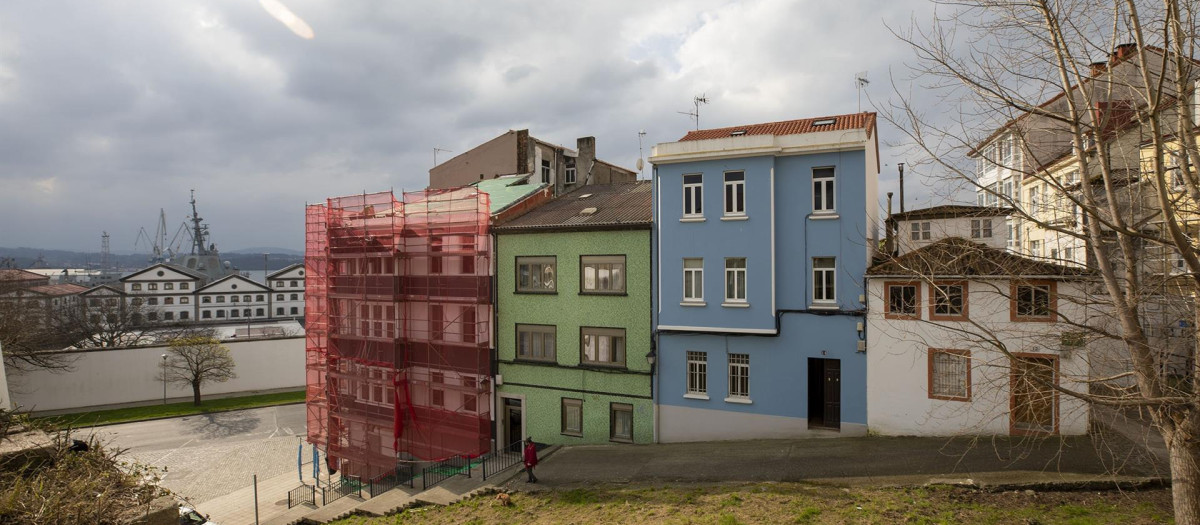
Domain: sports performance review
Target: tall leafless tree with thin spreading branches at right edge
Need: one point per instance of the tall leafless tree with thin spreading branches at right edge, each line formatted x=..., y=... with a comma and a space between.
x=1093, y=107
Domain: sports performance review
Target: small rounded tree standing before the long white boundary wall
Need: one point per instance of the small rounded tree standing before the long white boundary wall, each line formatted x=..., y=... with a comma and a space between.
x=196, y=361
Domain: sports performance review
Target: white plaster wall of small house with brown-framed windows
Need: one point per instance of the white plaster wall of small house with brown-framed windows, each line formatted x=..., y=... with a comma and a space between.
x=898, y=364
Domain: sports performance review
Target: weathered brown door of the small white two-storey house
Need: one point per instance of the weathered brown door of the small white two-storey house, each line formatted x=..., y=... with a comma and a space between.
x=1034, y=400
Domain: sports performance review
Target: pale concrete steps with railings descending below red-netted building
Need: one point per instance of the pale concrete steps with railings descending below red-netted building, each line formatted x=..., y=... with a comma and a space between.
x=395, y=502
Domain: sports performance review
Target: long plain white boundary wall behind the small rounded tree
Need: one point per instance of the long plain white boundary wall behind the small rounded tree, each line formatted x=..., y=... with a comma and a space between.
x=111, y=377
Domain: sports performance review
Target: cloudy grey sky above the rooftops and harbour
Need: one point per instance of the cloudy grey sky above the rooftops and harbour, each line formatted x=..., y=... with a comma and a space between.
x=111, y=111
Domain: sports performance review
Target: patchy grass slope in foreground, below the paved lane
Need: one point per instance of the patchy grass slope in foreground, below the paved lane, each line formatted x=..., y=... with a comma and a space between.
x=795, y=504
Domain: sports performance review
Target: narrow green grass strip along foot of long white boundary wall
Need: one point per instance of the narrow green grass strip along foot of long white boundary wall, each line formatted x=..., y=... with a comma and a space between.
x=172, y=411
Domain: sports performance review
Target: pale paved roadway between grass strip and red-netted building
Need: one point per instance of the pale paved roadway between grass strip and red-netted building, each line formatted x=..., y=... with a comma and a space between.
x=212, y=455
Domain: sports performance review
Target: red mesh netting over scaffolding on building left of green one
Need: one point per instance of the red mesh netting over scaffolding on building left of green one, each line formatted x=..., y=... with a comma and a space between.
x=398, y=321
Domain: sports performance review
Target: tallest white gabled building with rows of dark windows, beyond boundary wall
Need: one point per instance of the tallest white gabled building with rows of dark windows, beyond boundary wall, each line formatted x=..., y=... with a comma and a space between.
x=165, y=291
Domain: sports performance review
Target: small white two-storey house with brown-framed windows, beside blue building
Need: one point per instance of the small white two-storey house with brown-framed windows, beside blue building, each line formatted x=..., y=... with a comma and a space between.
x=965, y=339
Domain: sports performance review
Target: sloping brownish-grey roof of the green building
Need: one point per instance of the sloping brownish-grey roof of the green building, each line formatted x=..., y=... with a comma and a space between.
x=621, y=204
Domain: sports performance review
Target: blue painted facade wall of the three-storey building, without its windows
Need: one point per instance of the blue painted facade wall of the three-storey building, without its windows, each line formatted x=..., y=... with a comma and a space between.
x=779, y=363
